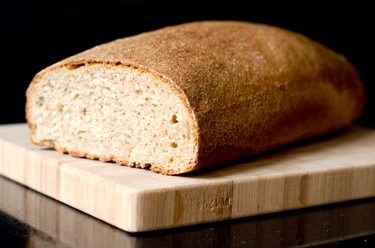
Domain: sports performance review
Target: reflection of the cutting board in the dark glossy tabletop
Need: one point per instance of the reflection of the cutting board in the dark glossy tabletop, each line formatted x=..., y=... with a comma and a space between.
x=57, y=225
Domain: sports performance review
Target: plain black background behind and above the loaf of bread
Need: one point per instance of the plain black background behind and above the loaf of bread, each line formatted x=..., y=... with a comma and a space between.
x=35, y=34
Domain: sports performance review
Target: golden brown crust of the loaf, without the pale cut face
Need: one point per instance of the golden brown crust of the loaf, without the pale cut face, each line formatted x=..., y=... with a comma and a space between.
x=250, y=87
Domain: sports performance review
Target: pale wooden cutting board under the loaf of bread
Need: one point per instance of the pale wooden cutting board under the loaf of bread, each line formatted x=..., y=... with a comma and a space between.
x=337, y=168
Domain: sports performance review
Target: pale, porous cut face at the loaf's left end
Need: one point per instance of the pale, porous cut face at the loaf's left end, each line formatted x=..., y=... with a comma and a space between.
x=113, y=113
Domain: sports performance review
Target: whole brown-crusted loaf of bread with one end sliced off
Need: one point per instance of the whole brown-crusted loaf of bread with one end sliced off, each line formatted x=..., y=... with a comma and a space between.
x=193, y=96
